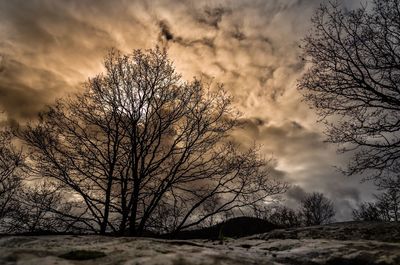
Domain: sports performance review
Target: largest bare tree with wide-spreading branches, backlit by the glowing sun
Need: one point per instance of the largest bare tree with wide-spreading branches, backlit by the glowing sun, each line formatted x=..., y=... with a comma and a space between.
x=140, y=143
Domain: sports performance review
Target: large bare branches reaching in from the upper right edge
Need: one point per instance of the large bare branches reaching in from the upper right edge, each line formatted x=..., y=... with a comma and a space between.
x=353, y=81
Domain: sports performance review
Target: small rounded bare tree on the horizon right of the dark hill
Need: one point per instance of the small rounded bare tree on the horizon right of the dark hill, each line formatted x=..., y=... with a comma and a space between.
x=316, y=209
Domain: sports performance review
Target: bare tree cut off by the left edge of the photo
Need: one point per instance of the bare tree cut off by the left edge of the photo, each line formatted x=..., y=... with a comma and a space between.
x=11, y=162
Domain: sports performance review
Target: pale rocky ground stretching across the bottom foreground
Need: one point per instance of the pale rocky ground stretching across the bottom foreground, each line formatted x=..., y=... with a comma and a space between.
x=344, y=244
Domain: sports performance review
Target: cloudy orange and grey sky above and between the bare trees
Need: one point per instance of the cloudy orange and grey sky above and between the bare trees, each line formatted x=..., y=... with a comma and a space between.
x=48, y=48
